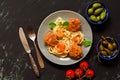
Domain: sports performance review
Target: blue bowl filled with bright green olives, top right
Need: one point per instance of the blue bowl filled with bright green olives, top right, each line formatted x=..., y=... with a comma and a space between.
x=97, y=13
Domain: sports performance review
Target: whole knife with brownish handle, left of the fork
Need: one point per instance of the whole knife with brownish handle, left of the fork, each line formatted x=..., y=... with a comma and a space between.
x=28, y=50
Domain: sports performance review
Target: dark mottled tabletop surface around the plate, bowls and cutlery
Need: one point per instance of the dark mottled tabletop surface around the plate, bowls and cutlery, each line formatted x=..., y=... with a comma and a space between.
x=14, y=62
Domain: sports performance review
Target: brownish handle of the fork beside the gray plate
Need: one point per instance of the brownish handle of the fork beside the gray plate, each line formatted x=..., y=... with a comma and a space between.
x=40, y=60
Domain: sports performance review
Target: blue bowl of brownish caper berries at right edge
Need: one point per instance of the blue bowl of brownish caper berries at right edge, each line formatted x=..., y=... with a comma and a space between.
x=107, y=49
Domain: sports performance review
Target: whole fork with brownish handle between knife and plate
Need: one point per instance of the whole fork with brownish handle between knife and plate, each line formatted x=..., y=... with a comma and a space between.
x=32, y=36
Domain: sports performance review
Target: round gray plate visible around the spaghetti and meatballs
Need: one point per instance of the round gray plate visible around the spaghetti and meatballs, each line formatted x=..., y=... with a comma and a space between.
x=44, y=27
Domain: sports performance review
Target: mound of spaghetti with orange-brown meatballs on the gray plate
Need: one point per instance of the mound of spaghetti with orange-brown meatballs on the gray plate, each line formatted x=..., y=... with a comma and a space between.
x=64, y=41
